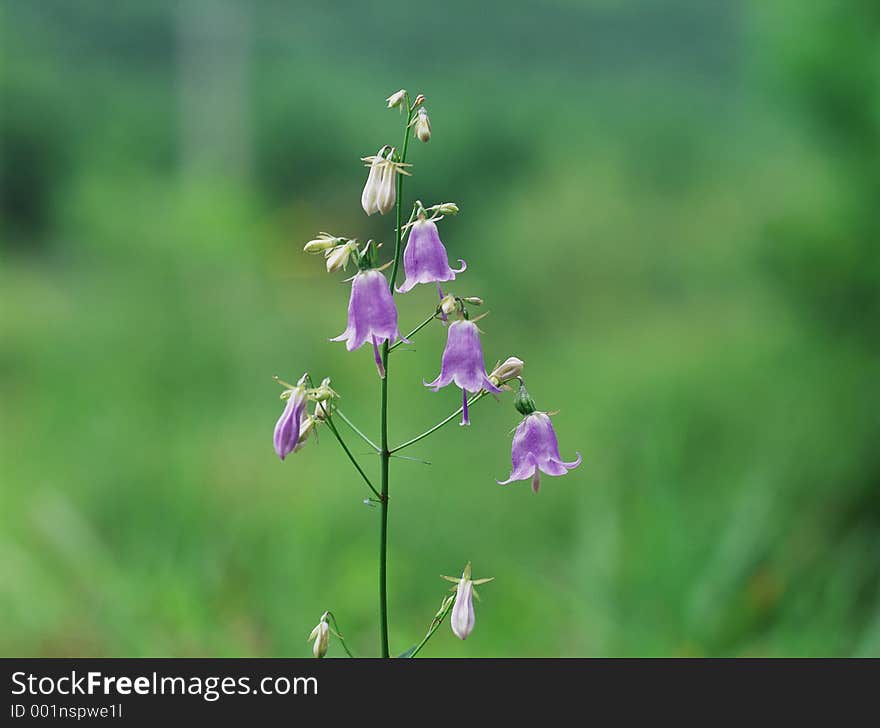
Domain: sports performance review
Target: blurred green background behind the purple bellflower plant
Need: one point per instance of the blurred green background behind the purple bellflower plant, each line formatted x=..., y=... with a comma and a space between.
x=671, y=210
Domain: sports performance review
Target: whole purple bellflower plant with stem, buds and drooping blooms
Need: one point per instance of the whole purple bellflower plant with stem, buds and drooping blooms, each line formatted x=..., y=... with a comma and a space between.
x=373, y=320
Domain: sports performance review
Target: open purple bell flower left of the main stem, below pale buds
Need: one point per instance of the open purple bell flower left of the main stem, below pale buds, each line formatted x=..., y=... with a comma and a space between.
x=372, y=315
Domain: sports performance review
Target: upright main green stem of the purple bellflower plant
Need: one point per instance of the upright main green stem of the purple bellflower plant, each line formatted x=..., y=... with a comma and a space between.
x=384, y=453
